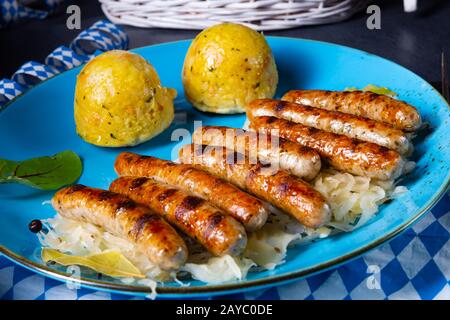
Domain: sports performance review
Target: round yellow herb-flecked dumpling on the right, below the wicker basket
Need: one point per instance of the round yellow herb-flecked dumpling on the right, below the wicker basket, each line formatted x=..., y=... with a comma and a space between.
x=227, y=66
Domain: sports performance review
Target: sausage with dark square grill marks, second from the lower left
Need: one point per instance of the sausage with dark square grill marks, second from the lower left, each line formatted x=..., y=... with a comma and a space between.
x=220, y=234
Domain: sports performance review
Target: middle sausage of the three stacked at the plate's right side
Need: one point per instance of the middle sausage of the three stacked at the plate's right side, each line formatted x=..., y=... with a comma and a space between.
x=333, y=121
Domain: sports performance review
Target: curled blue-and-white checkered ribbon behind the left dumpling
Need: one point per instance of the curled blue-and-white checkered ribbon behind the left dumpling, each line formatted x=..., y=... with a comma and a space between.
x=101, y=36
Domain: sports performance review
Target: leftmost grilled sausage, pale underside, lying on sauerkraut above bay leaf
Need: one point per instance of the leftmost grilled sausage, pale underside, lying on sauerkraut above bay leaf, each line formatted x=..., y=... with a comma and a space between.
x=117, y=214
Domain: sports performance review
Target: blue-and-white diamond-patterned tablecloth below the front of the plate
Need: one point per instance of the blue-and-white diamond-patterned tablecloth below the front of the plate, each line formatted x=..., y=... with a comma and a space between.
x=415, y=265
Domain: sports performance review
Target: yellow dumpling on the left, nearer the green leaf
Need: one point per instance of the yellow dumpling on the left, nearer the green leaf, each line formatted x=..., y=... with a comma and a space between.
x=119, y=101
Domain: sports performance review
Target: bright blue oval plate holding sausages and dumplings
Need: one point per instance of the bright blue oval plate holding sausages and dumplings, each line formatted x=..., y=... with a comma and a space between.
x=40, y=122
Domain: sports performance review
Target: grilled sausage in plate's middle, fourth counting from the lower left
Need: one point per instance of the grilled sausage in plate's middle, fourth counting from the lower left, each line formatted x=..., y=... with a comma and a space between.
x=280, y=188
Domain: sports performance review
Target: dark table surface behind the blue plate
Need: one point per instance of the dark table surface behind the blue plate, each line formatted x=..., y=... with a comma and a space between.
x=414, y=40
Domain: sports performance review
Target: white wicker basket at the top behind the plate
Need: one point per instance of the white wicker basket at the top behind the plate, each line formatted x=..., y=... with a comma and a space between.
x=199, y=14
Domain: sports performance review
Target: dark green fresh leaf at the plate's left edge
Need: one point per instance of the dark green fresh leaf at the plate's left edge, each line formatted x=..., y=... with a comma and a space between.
x=46, y=173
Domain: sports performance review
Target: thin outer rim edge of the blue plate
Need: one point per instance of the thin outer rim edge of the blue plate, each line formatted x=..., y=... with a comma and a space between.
x=245, y=284
